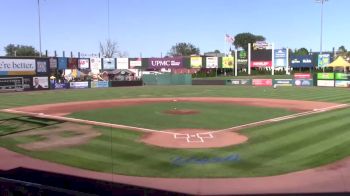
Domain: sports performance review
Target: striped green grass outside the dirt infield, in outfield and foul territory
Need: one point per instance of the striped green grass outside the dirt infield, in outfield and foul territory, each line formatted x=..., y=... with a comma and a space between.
x=272, y=149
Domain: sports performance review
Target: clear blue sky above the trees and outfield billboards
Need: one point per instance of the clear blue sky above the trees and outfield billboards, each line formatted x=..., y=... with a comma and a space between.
x=151, y=27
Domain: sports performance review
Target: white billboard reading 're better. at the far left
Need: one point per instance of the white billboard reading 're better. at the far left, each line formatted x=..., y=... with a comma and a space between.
x=17, y=66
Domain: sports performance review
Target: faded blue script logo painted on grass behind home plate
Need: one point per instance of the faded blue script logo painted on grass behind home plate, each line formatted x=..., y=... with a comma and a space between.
x=197, y=160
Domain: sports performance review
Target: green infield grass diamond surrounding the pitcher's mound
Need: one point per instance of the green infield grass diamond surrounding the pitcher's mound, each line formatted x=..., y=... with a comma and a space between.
x=209, y=116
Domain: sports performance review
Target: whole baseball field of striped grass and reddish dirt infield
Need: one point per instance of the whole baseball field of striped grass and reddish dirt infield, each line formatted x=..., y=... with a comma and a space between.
x=180, y=131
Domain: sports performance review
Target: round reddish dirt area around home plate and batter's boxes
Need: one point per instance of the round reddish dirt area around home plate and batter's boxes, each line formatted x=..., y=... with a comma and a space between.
x=193, y=138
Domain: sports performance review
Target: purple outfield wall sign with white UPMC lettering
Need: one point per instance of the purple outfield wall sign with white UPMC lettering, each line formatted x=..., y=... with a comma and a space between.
x=165, y=62
